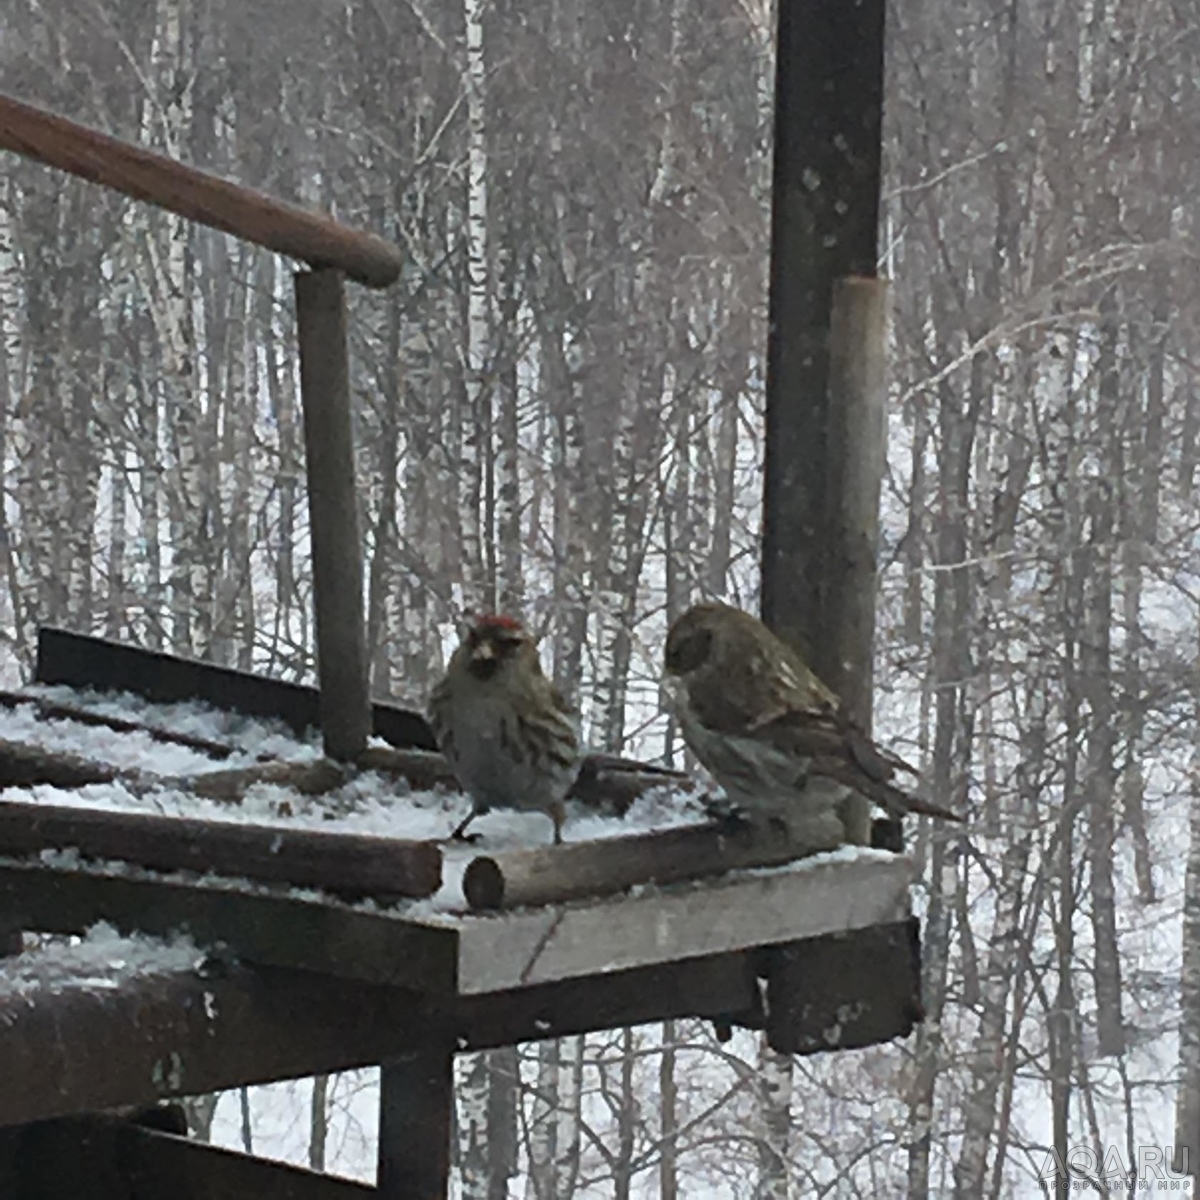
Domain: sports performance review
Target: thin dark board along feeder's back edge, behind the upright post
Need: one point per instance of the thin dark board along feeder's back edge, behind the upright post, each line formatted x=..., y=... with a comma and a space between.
x=80, y=661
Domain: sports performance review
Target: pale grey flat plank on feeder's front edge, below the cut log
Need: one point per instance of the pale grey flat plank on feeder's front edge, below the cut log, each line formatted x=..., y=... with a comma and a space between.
x=827, y=895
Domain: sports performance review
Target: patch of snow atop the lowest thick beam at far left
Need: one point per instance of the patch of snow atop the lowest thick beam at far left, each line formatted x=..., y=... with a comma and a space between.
x=101, y=961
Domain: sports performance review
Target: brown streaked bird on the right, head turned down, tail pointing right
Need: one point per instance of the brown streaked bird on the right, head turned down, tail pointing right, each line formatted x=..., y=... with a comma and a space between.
x=776, y=739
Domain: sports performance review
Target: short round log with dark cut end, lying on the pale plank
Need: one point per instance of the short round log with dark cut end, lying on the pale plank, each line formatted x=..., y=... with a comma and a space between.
x=555, y=874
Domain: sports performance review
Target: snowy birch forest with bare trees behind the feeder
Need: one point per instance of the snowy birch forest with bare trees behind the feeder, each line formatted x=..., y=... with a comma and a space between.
x=560, y=412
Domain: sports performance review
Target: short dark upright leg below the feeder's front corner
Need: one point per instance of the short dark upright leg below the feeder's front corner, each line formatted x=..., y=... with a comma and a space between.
x=416, y=1119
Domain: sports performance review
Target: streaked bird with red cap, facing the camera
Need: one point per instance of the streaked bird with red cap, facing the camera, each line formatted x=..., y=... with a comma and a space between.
x=503, y=727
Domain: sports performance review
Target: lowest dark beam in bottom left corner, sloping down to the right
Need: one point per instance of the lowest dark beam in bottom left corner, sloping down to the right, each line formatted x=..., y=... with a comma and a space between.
x=106, y=1159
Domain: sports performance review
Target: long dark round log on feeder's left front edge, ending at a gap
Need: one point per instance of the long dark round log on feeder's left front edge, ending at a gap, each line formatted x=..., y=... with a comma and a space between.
x=346, y=865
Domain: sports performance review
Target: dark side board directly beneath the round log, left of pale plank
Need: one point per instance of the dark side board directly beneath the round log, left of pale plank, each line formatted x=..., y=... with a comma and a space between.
x=278, y=931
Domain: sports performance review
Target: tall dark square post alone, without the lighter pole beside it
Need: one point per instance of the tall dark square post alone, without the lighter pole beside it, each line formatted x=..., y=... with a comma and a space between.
x=825, y=217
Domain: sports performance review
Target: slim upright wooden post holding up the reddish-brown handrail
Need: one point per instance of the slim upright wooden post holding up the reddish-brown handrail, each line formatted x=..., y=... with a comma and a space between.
x=333, y=513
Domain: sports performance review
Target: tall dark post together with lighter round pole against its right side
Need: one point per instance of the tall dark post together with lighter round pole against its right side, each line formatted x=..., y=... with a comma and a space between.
x=825, y=439
